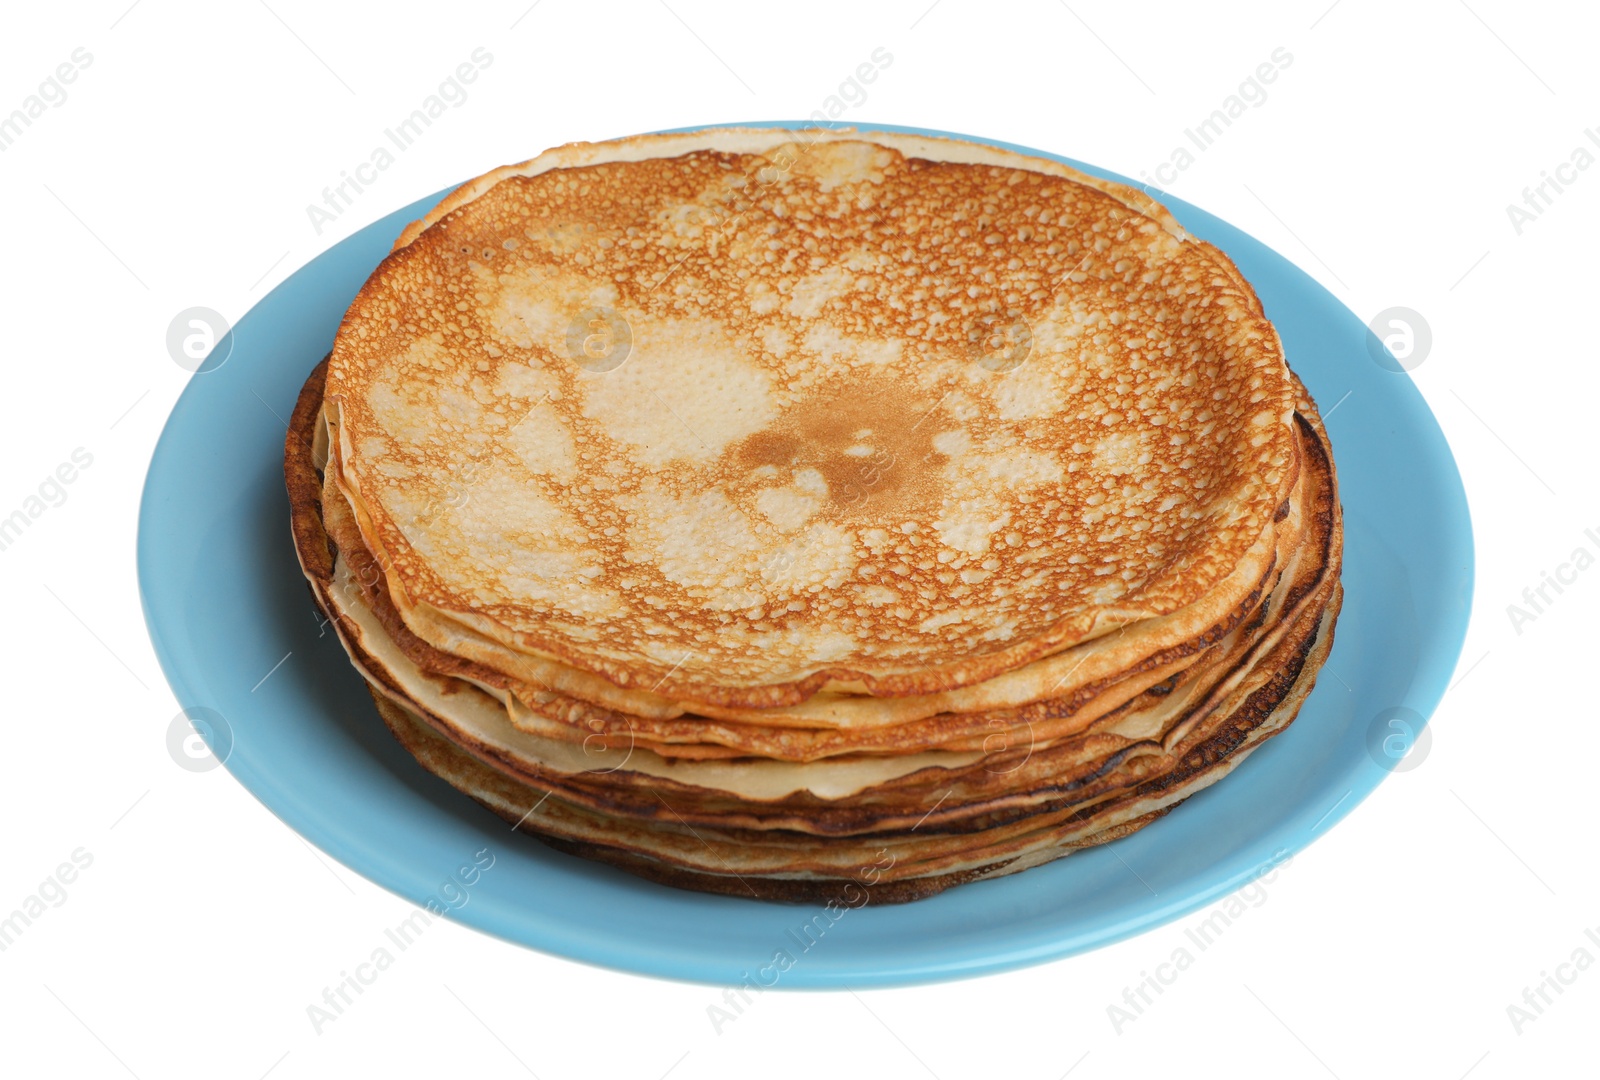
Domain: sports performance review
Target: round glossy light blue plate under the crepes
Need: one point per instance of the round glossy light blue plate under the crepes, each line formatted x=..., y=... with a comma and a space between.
x=225, y=602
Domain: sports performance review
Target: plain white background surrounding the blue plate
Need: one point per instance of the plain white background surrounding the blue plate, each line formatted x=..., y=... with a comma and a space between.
x=178, y=174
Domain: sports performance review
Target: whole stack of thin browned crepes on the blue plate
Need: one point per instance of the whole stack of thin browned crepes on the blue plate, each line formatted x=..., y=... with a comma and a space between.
x=799, y=514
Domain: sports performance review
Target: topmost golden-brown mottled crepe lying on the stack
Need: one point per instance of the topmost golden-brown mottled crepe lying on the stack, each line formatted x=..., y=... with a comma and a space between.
x=743, y=417
